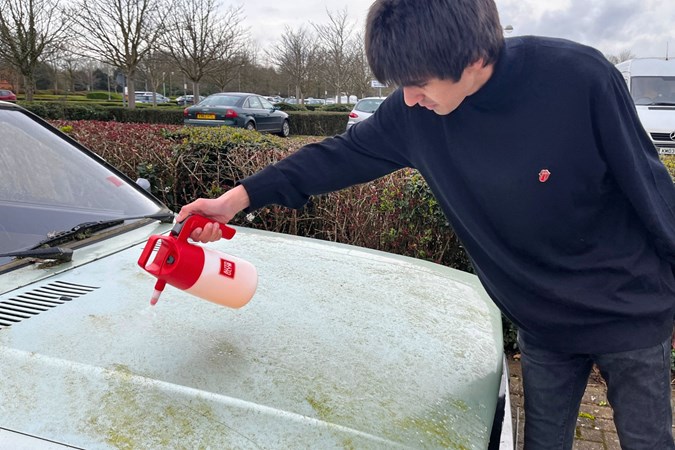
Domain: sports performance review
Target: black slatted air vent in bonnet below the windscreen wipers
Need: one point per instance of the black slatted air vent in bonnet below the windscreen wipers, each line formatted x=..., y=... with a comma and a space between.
x=32, y=303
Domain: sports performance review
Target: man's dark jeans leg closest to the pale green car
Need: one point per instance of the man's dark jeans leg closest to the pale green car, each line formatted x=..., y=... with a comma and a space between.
x=553, y=385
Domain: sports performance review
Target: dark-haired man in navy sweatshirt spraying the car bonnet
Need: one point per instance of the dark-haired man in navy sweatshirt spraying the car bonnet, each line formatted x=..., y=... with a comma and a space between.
x=534, y=151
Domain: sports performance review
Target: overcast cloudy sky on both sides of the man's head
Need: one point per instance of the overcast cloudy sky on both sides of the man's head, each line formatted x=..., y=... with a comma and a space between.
x=644, y=27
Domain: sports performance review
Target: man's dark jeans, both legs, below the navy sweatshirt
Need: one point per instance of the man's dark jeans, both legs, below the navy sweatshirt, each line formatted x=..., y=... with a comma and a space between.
x=638, y=389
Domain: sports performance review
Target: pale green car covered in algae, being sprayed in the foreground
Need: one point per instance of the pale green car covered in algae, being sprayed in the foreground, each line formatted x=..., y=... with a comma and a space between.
x=339, y=347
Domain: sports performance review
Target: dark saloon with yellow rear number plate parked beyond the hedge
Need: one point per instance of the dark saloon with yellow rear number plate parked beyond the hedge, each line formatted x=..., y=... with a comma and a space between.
x=238, y=109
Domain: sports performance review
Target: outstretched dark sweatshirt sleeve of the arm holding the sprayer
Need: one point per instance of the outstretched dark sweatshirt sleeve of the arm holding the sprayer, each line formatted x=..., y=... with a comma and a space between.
x=368, y=150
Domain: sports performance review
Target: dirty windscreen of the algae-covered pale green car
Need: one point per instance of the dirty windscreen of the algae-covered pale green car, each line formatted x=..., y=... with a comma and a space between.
x=49, y=185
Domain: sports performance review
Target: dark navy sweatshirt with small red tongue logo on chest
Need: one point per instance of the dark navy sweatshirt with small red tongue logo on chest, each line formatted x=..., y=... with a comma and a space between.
x=549, y=181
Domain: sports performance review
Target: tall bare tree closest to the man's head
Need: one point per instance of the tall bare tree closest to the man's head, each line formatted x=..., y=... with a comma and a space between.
x=335, y=40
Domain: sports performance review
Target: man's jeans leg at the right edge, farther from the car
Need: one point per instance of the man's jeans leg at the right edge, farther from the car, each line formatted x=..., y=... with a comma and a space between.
x=638, y=389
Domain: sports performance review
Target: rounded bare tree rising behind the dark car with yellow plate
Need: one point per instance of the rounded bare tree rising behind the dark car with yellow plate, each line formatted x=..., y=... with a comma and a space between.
x=201, y=39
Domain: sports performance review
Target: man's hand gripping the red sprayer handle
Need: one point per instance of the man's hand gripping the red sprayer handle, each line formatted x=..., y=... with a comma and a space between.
x=221, y=209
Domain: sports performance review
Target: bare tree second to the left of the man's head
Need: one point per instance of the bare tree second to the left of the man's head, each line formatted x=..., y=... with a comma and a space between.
x=295, y=55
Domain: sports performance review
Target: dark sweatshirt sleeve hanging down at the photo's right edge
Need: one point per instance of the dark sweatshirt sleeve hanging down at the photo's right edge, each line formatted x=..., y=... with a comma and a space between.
x=634, y=163
